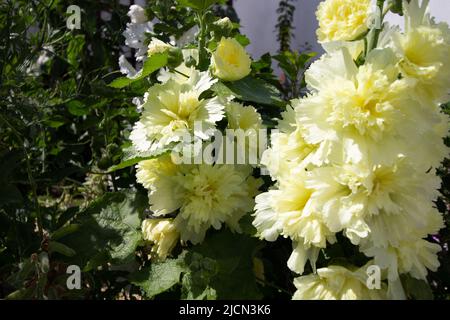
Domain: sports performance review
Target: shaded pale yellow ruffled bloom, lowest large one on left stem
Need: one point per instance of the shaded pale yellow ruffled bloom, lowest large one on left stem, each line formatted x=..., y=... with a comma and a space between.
x=203, y=195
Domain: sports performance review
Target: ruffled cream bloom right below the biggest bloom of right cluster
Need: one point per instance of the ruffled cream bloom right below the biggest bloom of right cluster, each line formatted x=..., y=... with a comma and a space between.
x=360, y=197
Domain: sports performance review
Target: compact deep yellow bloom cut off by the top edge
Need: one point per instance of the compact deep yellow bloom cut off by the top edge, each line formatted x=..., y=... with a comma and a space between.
x=342, y=20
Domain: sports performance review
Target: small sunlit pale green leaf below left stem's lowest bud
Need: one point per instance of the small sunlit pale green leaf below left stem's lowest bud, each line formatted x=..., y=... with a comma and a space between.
x=160, y=276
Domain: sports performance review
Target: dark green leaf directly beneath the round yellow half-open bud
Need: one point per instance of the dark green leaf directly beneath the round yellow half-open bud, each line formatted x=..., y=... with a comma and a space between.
x=252, y=90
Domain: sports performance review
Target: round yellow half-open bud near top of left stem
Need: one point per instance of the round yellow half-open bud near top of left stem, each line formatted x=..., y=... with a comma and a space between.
x=230, y=61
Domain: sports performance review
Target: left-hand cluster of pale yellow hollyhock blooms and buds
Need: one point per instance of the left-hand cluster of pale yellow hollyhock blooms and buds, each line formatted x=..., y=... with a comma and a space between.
x=187, y=199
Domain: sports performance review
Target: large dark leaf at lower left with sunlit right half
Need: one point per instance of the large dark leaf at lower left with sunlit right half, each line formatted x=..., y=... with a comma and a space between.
x=109, y=230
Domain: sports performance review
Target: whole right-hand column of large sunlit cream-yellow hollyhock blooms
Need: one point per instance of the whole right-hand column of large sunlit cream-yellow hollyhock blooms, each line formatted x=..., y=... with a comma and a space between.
x=358, y=154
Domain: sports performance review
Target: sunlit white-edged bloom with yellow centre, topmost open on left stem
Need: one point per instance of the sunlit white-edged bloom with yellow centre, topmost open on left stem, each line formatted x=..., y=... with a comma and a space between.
x=172, y=110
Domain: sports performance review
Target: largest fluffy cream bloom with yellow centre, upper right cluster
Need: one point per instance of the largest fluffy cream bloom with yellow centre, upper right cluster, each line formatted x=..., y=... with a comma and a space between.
x=365, y=109
